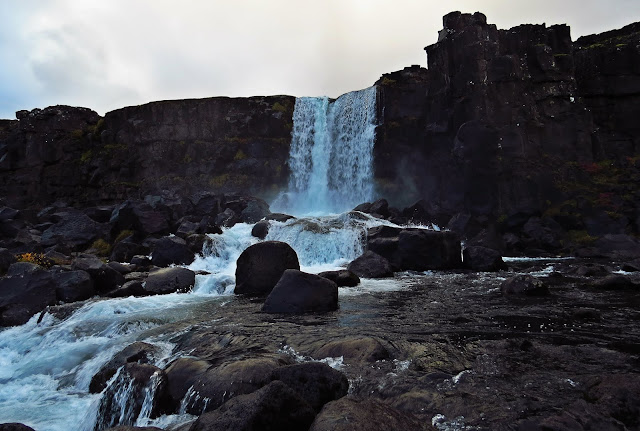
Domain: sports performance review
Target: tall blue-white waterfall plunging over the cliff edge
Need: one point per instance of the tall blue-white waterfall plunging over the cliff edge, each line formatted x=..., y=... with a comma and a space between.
x=331, y=154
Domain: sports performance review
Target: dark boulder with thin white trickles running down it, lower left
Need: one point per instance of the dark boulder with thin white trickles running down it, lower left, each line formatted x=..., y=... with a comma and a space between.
x=135, y=386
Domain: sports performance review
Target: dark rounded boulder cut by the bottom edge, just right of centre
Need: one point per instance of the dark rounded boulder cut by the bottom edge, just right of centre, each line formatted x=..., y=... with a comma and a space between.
x=348, y=414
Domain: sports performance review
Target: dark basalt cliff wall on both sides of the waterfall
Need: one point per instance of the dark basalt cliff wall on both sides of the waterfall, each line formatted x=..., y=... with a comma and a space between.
x=504, y=126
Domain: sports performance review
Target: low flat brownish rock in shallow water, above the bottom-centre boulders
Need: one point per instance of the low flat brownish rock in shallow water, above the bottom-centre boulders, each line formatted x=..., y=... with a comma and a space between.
x=353, y=350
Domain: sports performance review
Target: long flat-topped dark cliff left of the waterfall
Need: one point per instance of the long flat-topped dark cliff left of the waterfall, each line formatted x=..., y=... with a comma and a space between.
x=176, y=147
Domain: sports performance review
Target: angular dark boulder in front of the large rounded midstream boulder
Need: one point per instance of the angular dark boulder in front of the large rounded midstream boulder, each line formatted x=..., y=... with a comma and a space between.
x=299, y=292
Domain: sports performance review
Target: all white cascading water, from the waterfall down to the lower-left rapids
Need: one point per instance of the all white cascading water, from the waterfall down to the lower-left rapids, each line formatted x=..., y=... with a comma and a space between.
x=46, y=366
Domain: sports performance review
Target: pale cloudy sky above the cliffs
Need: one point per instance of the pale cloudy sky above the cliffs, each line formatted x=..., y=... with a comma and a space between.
x=107, y=54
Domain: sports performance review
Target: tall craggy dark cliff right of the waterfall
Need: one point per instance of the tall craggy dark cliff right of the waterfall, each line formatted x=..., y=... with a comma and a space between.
x=506, y=125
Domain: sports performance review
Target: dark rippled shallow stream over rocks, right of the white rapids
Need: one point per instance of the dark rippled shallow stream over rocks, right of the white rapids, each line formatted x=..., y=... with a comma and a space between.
x=449, y=349
